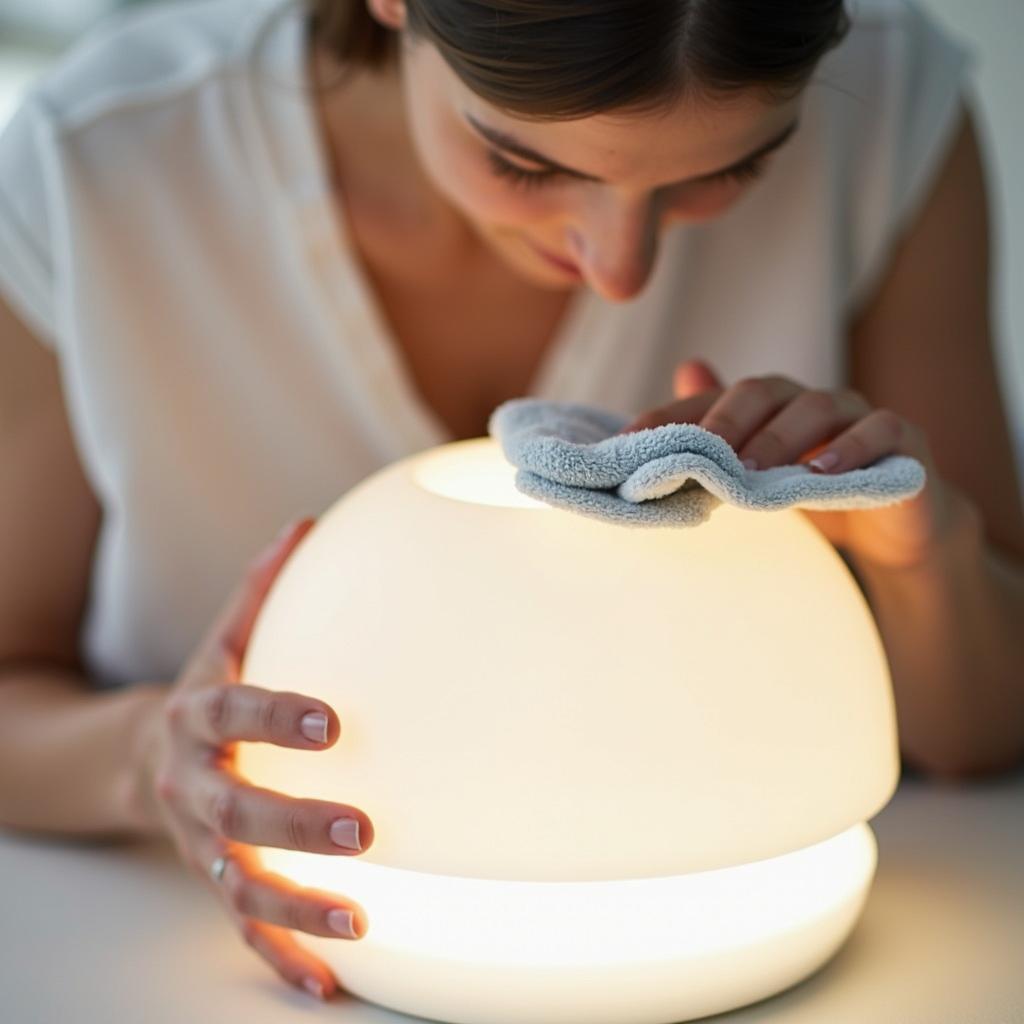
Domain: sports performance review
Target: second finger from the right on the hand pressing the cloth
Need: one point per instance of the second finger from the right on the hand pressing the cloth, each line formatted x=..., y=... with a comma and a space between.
x=812, y=419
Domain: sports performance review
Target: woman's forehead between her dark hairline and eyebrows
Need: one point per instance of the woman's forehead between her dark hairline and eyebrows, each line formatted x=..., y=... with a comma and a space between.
x=695, y=136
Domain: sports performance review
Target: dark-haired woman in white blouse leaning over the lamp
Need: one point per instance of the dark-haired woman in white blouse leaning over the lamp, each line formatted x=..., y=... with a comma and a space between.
x=229, y=298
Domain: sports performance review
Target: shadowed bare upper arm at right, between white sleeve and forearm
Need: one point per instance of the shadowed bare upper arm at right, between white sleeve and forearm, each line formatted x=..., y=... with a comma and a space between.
x=923, y=345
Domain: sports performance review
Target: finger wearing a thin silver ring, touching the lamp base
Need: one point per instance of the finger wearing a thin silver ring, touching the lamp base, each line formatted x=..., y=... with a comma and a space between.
x=254, y=892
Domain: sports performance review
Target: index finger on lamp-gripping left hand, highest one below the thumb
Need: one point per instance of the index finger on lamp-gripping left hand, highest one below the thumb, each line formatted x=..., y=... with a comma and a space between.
x=231, y=712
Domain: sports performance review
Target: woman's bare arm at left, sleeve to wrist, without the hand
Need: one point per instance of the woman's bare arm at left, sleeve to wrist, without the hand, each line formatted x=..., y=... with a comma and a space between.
x=66, y=752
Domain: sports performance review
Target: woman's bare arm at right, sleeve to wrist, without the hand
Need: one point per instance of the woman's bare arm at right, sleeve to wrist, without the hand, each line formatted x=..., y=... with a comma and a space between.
x=952, y=626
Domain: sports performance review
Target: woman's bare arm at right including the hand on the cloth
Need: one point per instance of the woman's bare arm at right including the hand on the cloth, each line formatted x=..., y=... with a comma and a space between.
x=950, y=605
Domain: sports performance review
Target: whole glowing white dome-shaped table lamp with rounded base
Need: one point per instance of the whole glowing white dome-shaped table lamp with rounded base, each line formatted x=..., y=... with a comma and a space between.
x=618, y=776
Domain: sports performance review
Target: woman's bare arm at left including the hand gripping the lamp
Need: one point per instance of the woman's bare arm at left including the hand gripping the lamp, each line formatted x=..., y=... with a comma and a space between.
x=151, y=759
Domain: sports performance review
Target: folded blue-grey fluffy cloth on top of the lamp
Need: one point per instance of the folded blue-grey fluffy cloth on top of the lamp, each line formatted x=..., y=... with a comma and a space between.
x=570, y=456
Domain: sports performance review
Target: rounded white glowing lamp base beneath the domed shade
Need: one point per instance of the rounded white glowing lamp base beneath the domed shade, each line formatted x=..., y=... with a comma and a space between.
x=634, y=952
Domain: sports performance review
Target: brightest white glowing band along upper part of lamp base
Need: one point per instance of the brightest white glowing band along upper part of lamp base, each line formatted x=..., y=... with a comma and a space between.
x=590, y=924
